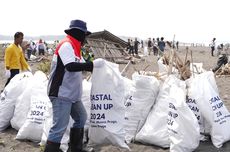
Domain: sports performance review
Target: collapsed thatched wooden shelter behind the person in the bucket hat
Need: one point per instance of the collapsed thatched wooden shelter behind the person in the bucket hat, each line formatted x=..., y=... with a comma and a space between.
x=108, y=46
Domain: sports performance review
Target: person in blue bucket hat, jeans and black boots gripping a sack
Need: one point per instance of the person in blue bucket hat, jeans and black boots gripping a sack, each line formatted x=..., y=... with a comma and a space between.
x=65, y=88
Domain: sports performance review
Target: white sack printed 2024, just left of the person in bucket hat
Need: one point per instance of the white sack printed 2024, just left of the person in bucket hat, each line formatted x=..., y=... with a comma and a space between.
x=38, y=109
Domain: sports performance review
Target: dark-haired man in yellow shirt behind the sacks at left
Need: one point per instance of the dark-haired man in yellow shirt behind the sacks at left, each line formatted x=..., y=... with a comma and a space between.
x=14, y=58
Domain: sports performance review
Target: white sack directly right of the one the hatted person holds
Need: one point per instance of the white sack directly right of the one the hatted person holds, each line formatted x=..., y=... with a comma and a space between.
x=142, y=97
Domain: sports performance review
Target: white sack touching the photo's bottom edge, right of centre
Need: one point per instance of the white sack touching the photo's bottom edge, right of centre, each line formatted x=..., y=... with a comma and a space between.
x=183, y=127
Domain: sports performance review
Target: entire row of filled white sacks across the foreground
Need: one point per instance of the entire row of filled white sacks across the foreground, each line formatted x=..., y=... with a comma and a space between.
x=167, y=113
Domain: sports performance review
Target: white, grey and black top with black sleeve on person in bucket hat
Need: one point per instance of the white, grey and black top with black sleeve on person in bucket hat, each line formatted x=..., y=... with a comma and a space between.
x=66, y=73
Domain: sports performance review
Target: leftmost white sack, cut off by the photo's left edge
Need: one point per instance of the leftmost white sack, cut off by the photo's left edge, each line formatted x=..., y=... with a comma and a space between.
x=9, y=95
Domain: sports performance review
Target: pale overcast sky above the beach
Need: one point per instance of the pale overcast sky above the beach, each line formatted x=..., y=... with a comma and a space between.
x=189, y=20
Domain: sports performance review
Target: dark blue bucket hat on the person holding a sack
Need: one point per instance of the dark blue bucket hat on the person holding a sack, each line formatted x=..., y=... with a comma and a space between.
x=78, y=24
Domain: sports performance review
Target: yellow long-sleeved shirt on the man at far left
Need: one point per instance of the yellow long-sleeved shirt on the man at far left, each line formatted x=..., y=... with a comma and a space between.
x=14, y=58
